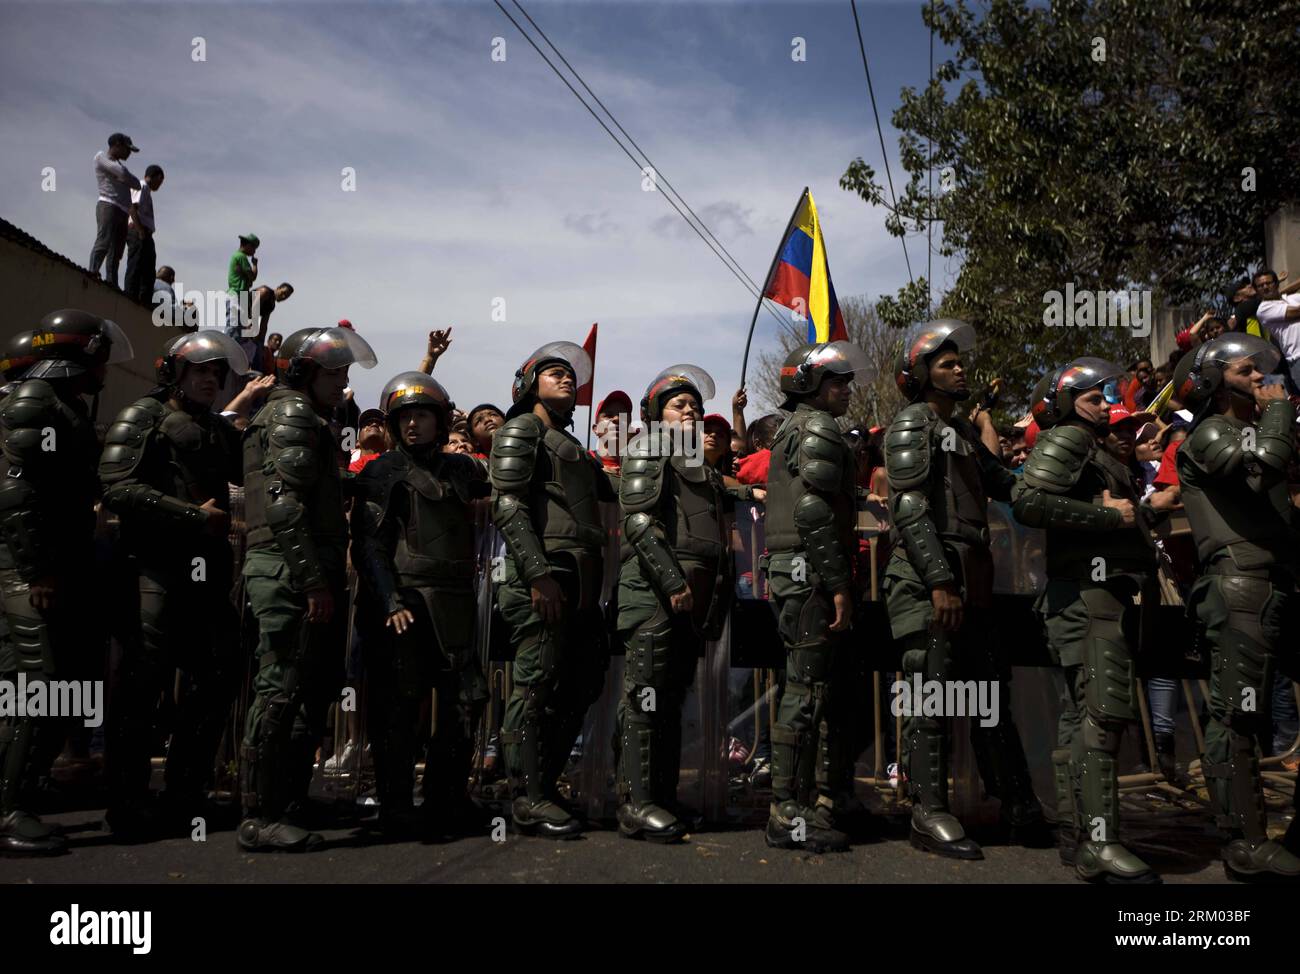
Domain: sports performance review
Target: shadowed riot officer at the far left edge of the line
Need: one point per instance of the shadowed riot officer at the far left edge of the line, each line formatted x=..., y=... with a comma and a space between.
x=47, y=520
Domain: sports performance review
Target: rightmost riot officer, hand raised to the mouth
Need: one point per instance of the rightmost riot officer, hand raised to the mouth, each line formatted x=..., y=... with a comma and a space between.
x=1233, y=471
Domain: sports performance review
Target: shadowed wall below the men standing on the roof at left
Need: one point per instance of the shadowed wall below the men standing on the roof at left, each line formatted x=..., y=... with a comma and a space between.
x=34, y=284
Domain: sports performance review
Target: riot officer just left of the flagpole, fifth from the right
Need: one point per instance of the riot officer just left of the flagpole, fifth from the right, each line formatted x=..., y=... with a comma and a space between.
x=675, y=590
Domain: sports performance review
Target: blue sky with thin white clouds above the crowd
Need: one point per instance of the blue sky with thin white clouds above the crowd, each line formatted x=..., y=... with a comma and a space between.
x=475, y=179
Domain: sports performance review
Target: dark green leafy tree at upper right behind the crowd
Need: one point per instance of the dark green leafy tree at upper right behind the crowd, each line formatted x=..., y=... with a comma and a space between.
x=1099, y=144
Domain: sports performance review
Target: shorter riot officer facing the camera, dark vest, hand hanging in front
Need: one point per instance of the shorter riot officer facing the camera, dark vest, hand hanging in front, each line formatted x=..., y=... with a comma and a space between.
x=414, y=551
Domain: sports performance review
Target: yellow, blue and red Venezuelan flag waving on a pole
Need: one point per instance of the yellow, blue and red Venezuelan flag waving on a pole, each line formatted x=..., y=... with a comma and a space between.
x=801, y=278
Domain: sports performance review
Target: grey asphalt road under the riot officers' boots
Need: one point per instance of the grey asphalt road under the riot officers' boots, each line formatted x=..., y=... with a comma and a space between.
x=1177, y=842
